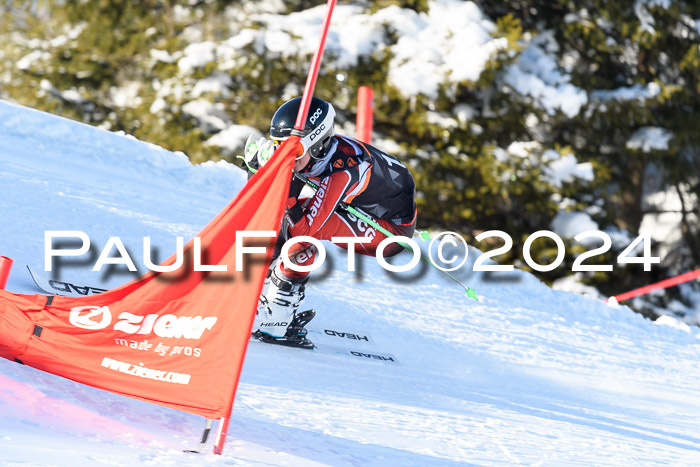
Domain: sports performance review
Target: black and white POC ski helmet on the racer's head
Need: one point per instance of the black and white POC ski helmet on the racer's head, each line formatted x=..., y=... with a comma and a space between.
x=319, y=128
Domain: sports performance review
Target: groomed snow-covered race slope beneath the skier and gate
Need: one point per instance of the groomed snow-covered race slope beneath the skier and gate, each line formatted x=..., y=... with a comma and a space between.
x=526, y=375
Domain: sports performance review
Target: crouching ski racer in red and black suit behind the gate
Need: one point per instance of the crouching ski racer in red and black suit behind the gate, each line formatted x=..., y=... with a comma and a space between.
x=347, y=172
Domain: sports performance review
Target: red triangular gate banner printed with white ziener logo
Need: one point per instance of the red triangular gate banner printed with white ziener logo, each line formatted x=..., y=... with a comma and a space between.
x=176, y=339
